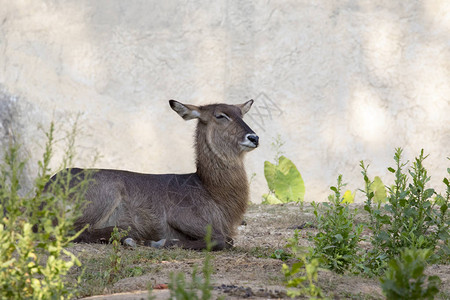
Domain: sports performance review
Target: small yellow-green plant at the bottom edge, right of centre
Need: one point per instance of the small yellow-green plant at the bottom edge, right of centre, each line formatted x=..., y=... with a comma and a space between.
x=302, y=276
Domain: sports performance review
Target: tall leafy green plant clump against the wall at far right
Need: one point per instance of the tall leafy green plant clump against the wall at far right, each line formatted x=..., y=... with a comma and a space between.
x=411, y=217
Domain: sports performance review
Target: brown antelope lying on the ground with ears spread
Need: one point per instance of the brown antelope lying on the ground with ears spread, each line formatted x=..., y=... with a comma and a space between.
x=163, y=210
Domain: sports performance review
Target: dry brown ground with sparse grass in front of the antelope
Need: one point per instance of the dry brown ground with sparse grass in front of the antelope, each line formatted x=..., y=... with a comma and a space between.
x=247, y=271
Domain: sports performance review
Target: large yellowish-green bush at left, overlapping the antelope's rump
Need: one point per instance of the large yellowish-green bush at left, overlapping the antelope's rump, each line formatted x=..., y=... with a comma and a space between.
x=36, y=227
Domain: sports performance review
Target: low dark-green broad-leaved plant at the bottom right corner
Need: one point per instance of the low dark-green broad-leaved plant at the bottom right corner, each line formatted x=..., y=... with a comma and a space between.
x=405, y=278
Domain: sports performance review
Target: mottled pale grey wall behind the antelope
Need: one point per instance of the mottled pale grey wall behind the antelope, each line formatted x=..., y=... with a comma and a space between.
x=340, y=81
